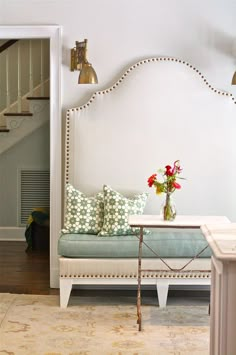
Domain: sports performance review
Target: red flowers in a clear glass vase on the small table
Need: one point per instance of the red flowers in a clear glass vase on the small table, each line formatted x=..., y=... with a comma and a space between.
x=168, y=186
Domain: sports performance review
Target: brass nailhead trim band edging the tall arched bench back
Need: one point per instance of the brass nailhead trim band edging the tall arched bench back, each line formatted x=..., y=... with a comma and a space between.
x=114, y=86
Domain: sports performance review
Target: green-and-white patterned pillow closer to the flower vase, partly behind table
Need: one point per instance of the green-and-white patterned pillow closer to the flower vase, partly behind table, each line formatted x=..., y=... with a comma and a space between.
x=117, y=209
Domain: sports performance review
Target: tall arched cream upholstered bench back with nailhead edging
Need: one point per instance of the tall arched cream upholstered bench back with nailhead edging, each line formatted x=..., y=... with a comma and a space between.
x=160, y=110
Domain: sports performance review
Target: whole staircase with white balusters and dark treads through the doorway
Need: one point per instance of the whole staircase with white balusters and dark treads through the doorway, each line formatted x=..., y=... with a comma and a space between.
x=24, y=89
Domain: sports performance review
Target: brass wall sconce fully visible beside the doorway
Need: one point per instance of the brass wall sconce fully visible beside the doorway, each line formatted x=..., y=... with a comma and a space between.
x=79, y=62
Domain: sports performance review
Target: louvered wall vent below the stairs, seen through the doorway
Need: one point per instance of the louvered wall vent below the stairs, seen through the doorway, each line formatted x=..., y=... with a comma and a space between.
x=34, y=192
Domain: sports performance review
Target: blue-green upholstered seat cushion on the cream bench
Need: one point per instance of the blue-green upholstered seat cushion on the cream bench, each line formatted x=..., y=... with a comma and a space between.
x=168, y=244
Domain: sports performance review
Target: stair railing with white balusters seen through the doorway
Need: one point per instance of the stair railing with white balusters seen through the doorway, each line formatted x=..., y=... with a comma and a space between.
x=15, y=92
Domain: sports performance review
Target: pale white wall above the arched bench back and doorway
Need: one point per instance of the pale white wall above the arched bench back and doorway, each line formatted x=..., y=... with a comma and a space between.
x=124, y=31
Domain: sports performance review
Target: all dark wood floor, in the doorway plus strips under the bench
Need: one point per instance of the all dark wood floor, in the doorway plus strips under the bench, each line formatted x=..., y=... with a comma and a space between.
x=28, y=273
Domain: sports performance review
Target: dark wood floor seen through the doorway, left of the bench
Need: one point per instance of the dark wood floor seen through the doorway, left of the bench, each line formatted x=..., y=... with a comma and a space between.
x=22, y=272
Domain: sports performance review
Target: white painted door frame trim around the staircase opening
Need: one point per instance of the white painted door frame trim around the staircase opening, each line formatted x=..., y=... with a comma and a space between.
x=53, y=33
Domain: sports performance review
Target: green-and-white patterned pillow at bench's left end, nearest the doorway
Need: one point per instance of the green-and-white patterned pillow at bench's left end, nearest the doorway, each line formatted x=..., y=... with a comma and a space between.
x=84, y=215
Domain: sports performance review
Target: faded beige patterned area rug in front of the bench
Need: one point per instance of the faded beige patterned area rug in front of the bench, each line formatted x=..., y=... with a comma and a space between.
x=35, y=325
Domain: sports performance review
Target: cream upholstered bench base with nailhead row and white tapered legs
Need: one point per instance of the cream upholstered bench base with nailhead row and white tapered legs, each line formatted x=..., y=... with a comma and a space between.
x=99, y=272
